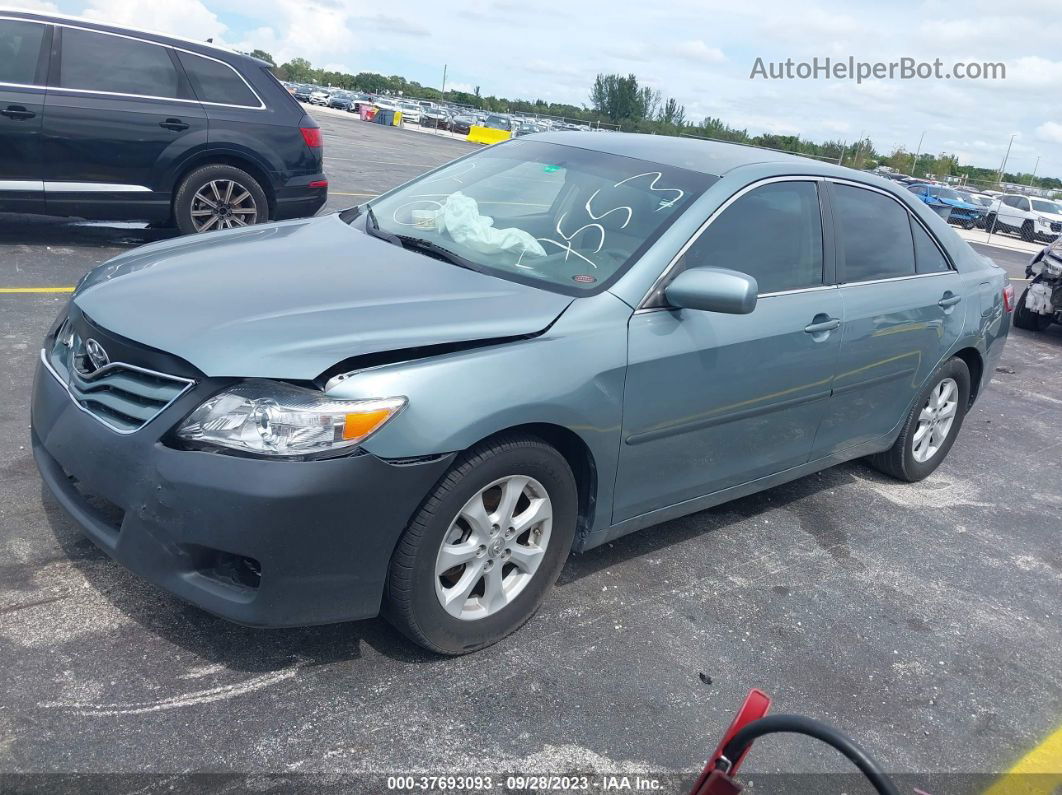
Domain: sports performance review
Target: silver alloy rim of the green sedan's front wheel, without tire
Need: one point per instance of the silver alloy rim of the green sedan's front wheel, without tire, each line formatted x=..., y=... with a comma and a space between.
x=493, y=548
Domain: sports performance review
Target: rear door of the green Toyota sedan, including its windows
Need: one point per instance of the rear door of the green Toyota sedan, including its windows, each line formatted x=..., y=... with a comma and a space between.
x=902, y=315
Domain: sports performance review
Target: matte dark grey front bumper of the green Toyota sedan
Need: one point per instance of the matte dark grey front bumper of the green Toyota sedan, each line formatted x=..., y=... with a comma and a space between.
x=319, y=533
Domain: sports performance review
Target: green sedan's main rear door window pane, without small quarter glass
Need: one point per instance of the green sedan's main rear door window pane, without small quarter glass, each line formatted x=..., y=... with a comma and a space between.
x=876, y=234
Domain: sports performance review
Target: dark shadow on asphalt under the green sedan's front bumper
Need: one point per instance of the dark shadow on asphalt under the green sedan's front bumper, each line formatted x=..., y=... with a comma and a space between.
x=214, y=640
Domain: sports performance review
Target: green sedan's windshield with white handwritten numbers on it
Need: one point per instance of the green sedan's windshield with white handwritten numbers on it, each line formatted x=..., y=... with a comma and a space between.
x=567, y=219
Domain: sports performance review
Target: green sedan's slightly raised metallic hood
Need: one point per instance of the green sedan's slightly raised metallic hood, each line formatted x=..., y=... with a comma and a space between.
x=295, y=299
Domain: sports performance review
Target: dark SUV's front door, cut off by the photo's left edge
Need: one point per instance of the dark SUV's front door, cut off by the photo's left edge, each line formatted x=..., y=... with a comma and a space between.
x=24, y=63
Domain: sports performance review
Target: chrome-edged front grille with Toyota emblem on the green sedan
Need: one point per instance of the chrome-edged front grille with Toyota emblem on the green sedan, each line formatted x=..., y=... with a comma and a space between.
x=123, y=396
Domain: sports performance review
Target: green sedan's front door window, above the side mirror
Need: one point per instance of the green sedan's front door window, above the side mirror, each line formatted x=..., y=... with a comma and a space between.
x=774, y=234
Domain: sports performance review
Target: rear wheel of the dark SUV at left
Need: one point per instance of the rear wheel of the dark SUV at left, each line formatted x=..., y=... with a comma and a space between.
x=219, y=198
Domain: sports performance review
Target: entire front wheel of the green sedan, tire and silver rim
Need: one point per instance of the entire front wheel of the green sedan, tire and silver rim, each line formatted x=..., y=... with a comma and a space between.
x=486, y=547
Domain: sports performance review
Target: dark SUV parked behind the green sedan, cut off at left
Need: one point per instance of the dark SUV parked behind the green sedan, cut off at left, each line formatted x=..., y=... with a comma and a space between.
x=104, y=123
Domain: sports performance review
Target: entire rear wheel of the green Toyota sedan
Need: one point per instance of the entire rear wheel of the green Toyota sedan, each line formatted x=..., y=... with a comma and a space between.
x=931, y=427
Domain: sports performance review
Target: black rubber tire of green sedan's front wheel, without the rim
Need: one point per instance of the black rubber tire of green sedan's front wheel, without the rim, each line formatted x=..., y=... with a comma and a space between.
x=412, y=603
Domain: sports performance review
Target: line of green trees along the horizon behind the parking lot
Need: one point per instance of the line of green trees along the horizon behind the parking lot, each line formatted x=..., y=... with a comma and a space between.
x=620, y=101
